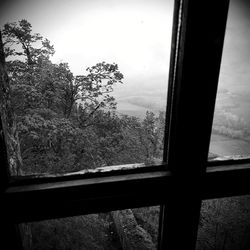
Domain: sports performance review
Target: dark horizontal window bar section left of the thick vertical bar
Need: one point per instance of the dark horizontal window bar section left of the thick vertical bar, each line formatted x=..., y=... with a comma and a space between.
x=75, y=197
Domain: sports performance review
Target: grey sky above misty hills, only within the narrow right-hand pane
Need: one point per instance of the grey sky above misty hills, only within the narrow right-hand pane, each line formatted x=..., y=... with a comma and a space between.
x=235, y=67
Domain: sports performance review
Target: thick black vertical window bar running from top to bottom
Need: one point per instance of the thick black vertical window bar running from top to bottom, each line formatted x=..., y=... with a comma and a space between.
x=192, y=106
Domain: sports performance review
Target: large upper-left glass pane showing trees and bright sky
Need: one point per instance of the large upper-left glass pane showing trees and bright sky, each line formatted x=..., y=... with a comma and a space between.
x=95, y=98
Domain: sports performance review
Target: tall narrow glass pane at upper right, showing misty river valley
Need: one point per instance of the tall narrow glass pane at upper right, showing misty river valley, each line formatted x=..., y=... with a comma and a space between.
x=231, y=126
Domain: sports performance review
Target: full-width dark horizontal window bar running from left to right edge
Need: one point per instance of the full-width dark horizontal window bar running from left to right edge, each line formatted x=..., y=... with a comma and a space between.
x=75, y=197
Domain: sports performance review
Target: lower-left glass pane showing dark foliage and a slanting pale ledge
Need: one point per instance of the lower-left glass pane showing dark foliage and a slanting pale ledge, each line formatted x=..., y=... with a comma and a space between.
x=125, y=229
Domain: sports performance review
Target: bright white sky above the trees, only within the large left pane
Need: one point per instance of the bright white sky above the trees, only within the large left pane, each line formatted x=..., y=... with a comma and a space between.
x=135, y=34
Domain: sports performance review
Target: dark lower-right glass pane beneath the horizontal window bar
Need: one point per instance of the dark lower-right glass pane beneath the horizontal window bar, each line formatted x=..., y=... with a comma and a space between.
x=225, y=224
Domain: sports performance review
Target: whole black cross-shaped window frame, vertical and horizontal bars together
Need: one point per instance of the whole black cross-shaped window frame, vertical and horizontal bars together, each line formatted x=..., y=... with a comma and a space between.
x=183, y=179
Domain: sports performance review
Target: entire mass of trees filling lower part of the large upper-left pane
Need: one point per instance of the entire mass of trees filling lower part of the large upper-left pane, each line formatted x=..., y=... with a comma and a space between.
x=66, y=123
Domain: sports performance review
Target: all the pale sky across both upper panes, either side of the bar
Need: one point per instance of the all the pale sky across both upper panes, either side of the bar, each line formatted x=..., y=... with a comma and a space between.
x=135, y=34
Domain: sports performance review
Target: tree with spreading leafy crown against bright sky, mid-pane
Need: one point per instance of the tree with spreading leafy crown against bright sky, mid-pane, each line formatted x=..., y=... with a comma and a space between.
x=92, y=91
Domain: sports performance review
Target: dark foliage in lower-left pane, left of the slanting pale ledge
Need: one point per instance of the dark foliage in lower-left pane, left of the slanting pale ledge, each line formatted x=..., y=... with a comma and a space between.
x=83, y=232
